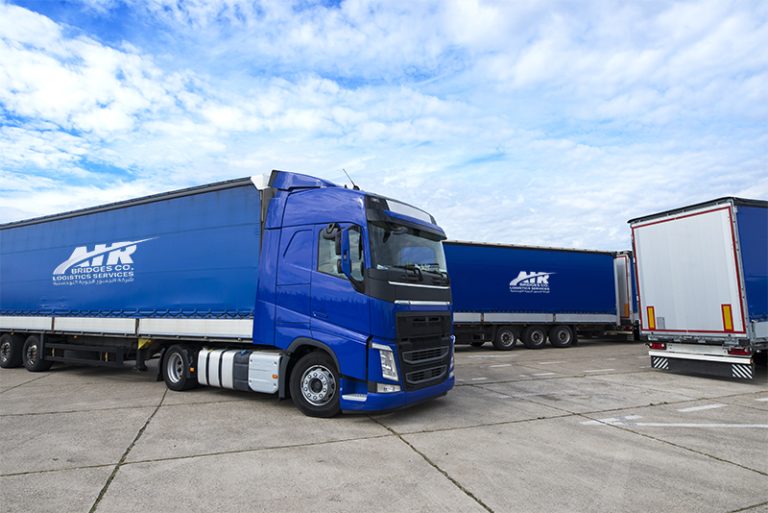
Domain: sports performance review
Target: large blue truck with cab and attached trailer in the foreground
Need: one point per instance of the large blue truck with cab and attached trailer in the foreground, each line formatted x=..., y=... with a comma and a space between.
x=285, y=284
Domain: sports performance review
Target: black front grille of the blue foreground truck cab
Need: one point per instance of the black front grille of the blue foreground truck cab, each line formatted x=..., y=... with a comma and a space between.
x=424, y=343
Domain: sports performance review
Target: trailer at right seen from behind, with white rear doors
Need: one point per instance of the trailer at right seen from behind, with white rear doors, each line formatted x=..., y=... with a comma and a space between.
x=702, y=277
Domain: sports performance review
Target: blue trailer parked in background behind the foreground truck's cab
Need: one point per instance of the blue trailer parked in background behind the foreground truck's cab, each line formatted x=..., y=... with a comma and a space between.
x=504, y=293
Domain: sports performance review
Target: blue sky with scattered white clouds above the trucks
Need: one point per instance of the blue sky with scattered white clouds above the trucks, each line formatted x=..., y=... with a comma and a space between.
x=528, y=122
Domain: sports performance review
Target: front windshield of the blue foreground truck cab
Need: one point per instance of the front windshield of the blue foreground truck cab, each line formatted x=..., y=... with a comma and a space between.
x=398, y=246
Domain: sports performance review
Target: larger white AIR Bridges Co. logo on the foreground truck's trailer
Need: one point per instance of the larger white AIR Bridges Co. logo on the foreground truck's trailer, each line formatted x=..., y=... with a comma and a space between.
x=104, y=264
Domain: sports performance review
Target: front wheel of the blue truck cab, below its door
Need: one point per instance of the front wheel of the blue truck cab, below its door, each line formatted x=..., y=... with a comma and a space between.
x=315, y=385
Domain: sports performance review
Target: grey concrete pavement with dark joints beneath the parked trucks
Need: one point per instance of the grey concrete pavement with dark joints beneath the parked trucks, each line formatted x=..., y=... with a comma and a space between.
x=589, y=428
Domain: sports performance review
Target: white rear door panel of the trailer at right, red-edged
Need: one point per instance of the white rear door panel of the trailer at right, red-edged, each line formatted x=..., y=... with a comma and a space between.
x=688, y=274
